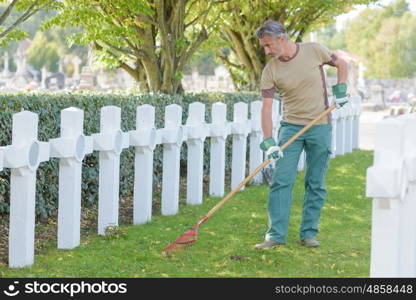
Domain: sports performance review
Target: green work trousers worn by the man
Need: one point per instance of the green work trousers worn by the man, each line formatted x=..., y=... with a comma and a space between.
x=317, y=145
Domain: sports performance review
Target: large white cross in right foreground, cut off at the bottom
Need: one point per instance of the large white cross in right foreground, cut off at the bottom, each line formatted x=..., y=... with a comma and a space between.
x=387, y=185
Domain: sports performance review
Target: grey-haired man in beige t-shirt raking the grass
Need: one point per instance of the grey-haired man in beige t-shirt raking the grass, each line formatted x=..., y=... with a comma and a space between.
x=295, y=70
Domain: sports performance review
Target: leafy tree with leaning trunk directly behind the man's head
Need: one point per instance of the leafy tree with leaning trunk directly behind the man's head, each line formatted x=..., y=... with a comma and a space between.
x=246, y=60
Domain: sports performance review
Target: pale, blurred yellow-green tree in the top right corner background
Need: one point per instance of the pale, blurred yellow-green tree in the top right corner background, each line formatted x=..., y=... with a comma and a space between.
x=384, y=38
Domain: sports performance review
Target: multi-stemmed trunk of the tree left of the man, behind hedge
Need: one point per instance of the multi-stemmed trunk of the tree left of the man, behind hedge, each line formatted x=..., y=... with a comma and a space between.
x=165, y=47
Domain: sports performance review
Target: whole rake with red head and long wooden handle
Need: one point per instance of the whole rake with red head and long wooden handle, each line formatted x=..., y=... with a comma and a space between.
x=190, y=237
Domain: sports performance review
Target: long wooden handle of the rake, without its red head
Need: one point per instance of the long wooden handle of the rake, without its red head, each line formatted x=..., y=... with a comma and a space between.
x=266, y=162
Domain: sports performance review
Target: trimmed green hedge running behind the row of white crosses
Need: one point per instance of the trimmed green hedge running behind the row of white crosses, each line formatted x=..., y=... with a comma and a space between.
x=48, y=106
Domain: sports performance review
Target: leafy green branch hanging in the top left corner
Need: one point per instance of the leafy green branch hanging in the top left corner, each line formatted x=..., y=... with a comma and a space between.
x=9, y=25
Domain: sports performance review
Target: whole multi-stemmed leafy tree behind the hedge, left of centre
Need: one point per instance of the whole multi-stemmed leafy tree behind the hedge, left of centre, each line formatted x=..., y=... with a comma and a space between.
x=152, y=40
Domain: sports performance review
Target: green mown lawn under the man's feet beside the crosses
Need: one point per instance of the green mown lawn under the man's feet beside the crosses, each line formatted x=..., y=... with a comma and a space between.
x=225, y=245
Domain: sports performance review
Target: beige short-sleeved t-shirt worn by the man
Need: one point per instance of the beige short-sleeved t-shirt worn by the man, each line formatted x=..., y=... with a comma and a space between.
x=300, y=82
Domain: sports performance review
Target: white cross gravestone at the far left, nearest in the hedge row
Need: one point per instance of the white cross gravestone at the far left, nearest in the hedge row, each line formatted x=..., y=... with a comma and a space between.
x=23, y=157
